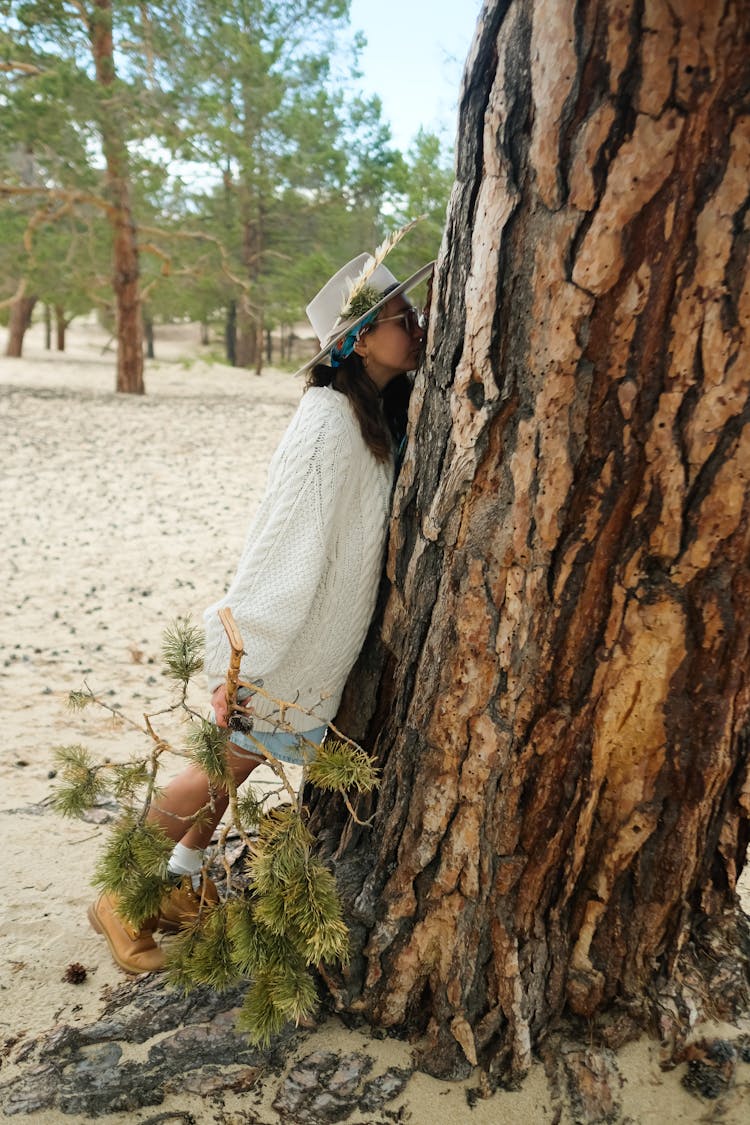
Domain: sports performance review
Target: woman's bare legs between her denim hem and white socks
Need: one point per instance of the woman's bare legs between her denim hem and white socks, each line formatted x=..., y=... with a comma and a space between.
x=189, y=793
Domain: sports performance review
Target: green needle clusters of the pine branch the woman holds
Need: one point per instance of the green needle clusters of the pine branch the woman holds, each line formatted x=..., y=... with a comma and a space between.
x=288, y=917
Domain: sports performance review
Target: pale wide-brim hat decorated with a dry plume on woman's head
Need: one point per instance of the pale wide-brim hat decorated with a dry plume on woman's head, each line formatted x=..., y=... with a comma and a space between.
x=324, y=312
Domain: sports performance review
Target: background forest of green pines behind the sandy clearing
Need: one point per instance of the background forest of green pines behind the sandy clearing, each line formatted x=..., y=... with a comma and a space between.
x=213, y=161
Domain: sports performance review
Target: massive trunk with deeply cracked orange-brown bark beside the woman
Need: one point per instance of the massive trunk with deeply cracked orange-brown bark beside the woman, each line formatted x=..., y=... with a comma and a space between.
x=559, y=688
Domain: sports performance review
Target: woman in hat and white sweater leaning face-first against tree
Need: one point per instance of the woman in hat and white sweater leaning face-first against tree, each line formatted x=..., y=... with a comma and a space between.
x=308, y=580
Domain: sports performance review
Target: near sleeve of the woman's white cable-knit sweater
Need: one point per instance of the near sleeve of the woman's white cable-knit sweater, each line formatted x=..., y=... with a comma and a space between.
x=285, y=555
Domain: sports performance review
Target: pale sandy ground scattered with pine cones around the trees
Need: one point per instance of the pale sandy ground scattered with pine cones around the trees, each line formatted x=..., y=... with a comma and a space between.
x=118, y=515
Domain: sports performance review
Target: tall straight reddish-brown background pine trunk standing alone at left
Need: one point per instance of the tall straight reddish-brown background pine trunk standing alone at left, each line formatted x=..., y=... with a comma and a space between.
x=125, y=248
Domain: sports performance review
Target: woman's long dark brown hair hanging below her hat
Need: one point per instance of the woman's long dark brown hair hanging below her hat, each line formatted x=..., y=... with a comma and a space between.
x=382, y=417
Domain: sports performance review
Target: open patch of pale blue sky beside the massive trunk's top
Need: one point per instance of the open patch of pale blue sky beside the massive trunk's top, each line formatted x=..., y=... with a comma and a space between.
x=414, y=61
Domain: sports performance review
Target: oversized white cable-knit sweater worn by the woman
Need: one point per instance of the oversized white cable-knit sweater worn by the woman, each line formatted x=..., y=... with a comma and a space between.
x=308, y=580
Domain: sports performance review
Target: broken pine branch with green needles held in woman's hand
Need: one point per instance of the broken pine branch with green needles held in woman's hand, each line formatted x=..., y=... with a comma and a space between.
x=284, y=915
